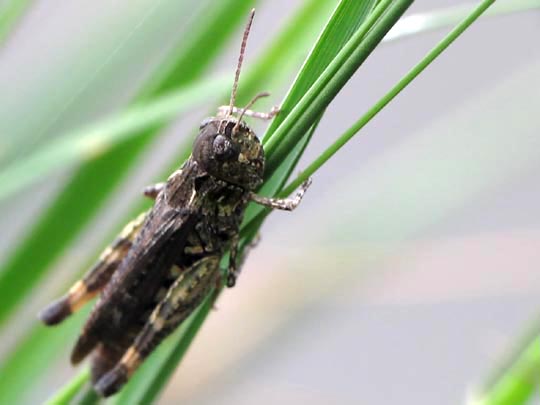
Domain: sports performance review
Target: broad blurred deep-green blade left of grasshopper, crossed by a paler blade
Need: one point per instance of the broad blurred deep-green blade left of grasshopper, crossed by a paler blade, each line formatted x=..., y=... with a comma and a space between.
x=91, y=185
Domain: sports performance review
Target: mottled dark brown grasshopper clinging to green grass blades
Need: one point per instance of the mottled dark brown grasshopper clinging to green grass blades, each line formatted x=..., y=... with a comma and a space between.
x=165, y=262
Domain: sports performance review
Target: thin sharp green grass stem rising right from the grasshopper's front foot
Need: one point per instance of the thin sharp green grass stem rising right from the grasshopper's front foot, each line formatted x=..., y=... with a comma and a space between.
x=378, y=106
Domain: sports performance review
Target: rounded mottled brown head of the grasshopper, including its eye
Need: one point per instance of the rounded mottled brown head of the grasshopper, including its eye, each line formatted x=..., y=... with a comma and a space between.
x=230, y=152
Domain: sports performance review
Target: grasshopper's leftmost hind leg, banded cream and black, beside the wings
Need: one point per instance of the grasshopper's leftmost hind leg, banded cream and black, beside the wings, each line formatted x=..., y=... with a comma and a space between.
x=94, y=281
